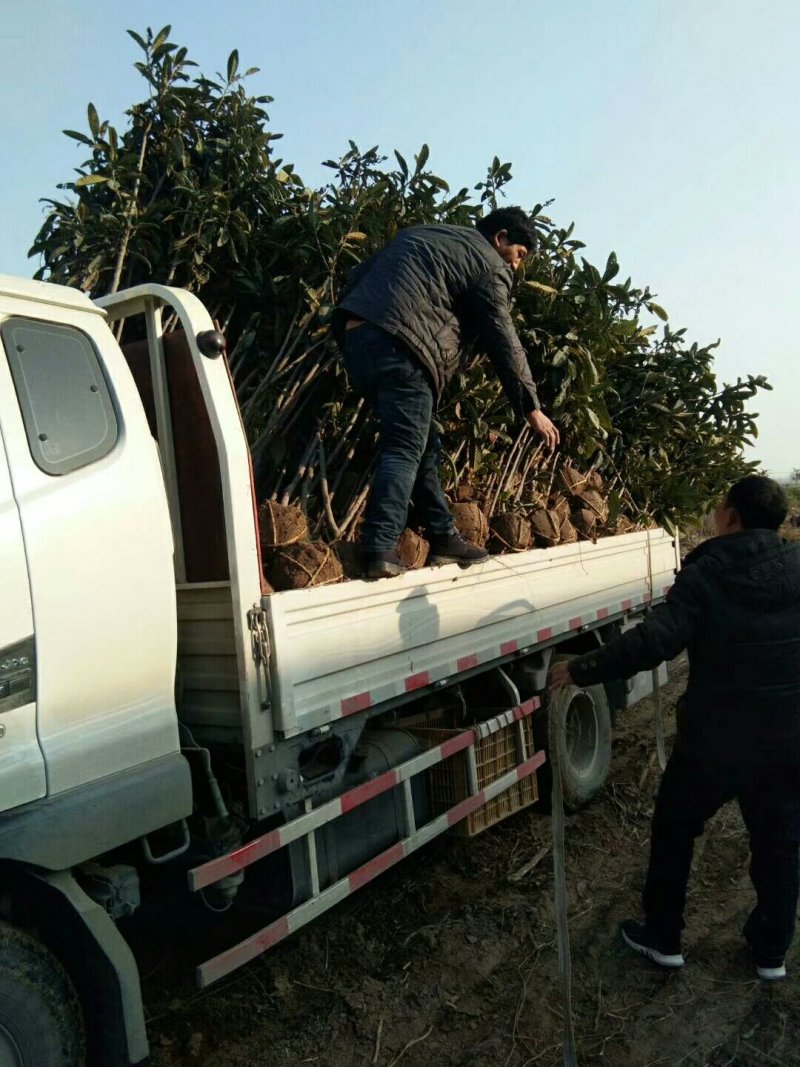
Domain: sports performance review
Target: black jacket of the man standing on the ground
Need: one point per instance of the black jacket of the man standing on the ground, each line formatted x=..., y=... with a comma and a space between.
x=737, y=608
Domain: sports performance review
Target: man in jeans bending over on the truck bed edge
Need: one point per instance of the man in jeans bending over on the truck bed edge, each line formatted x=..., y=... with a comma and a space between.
x=402, y=325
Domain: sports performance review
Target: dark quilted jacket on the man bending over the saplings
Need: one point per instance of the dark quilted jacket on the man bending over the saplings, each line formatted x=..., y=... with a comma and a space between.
x=441, y=289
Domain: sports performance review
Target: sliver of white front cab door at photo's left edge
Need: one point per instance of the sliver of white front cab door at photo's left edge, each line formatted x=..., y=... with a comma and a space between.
x=22, y=765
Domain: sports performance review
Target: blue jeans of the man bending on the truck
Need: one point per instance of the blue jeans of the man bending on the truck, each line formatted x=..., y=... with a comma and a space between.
x=399, y=391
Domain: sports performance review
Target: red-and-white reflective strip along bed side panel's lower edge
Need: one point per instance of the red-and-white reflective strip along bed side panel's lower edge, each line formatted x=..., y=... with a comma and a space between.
x=363, y=702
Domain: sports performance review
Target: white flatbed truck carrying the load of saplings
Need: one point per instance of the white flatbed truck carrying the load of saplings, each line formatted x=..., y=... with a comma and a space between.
x=164, y=718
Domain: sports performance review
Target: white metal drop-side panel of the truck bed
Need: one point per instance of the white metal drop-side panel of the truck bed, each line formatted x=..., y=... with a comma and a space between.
x=342, y=649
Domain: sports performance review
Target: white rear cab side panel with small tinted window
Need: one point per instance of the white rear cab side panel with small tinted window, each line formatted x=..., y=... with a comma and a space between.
x=88, y=484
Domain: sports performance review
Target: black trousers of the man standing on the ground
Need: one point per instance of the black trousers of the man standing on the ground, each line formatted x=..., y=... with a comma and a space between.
x=692, y=791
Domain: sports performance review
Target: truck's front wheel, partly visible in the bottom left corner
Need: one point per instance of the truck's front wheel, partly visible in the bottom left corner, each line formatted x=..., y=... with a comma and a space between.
x=40, y=1015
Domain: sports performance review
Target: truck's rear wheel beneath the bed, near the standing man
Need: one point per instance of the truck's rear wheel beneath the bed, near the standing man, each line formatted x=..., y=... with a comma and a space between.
x=575, y=728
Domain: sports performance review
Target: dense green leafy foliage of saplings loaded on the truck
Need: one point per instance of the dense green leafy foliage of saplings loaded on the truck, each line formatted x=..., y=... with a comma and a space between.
x=194, y=195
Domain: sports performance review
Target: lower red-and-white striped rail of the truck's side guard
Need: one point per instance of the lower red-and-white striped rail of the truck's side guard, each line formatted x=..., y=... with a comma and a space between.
x=252, y=947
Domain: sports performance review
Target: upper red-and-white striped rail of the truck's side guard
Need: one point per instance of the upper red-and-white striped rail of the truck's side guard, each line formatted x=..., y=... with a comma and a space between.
x=209, y=873
